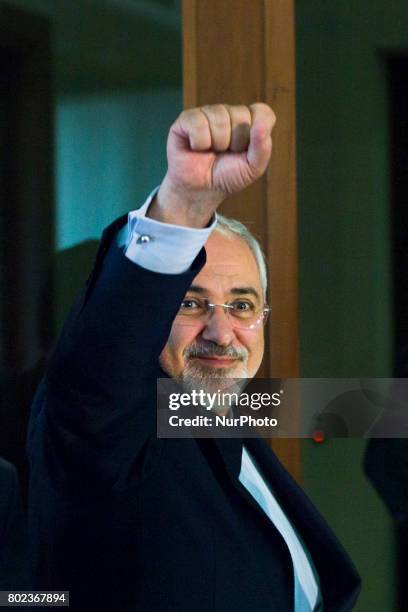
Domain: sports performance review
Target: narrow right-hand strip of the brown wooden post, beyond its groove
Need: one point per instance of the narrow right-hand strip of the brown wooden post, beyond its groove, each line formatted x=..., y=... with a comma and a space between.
x=281, y=192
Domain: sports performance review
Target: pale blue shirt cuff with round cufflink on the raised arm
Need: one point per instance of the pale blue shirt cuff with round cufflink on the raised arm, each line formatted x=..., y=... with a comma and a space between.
x=161, y=247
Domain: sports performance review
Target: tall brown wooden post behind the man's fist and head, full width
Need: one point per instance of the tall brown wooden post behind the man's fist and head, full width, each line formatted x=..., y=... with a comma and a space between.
x=239, y=52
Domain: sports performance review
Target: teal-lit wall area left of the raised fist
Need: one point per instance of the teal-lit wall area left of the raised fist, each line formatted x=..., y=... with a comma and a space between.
x=110, y=153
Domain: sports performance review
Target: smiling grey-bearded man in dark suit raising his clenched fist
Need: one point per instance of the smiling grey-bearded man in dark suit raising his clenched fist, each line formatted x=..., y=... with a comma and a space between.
x=127, y=521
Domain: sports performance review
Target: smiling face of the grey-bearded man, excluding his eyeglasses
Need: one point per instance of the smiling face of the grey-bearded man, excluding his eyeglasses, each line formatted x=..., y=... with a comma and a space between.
x=216, y=347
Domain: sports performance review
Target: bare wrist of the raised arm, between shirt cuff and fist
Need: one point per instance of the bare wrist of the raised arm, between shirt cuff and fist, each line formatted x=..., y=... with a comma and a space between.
x=180, y=206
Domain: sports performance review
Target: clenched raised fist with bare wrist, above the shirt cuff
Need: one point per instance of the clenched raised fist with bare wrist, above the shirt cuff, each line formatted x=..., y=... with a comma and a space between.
x=213, y=152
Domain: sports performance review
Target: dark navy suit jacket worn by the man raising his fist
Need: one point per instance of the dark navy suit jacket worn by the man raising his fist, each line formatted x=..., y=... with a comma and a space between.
x=127, y=521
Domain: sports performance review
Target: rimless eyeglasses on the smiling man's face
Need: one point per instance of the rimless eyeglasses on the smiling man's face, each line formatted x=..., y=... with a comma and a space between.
x=243, y=313
